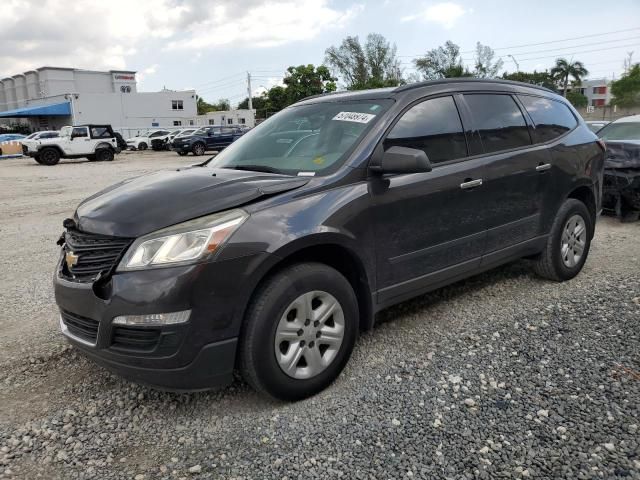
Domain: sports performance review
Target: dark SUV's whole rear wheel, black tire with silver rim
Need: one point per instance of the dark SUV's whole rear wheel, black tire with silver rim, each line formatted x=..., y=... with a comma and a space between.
x=559, y=261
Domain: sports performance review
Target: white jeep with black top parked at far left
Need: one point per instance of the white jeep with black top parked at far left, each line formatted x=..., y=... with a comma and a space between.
x=94, y=142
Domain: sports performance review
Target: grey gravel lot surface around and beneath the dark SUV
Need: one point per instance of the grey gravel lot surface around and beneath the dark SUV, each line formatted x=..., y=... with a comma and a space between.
x=501, y=376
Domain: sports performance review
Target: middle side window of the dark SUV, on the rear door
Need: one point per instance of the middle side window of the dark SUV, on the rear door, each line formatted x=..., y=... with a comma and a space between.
x=499, y=122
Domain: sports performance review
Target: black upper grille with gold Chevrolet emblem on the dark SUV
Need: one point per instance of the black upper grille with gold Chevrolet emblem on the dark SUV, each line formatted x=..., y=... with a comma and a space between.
x=94, y=254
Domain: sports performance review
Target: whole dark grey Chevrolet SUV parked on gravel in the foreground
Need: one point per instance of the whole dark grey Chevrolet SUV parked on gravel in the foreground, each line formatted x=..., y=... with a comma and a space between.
x=274, y=255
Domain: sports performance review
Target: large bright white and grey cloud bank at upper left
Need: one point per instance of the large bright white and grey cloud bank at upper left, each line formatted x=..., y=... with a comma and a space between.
x=104, y=35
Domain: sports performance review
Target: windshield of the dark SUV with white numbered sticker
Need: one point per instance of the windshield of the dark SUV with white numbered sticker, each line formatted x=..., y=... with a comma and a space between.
x=304, y=140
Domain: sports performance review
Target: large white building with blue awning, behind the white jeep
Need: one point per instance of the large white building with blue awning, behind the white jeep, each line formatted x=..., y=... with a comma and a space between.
x=50, y=97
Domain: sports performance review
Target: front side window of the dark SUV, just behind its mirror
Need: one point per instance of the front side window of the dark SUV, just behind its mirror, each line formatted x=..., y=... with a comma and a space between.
x=433, y=126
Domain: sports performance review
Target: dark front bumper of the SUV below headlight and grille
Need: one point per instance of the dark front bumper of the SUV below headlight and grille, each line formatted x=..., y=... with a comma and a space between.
x=195, y=355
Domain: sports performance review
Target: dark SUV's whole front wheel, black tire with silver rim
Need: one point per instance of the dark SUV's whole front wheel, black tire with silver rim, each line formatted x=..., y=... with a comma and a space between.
x=278, y=308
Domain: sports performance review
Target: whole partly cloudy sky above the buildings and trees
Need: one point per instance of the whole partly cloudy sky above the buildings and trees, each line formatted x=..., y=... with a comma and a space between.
x=210, y=45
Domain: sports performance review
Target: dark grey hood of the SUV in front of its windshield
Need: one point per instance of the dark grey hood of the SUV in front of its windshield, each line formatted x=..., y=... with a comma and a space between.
x=144, y=204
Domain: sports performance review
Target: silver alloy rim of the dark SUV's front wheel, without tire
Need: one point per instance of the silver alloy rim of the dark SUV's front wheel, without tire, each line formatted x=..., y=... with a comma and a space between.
x=309, y=334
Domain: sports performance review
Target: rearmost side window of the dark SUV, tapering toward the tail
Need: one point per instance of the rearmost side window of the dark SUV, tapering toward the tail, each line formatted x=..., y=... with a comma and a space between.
x=552, y=119
